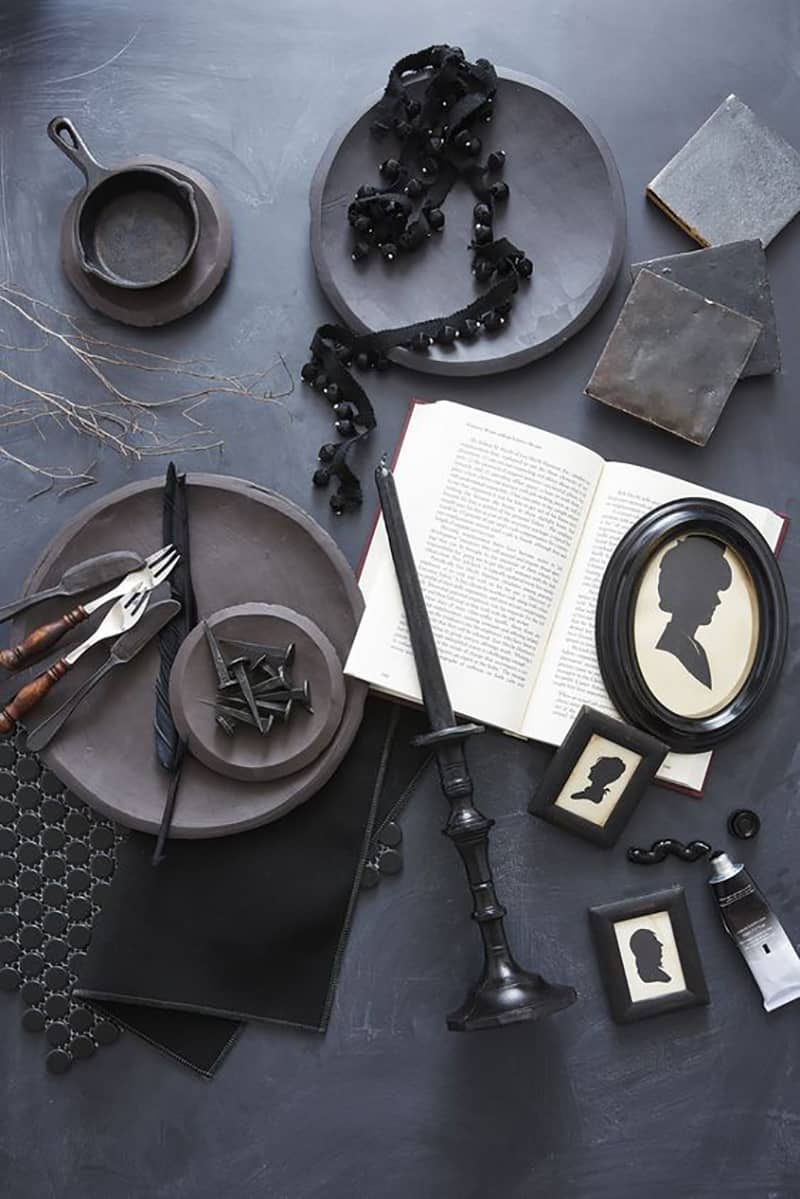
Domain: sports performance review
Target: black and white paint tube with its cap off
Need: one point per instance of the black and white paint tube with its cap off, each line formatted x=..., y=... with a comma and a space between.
x=756, y=932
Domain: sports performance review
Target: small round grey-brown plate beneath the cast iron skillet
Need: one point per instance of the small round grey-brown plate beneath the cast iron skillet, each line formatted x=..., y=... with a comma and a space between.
x=178, y=297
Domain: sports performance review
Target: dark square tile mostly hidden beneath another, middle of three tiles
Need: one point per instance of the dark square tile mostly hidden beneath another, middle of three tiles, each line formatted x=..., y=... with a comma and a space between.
x=735, y=276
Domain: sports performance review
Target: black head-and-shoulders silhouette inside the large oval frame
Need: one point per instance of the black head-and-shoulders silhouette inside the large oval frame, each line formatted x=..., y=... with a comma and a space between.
x=691, y=577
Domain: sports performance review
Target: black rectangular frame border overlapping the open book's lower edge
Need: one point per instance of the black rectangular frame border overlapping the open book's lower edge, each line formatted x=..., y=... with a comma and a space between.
x=587, y=724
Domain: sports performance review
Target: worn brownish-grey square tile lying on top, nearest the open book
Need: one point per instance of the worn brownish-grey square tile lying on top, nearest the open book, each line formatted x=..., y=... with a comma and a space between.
x=673, y=358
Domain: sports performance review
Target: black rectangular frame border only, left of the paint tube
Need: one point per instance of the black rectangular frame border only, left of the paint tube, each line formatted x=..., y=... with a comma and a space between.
x=603, y=921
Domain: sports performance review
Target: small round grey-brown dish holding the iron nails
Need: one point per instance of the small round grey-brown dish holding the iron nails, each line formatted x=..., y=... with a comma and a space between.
x=290, y=745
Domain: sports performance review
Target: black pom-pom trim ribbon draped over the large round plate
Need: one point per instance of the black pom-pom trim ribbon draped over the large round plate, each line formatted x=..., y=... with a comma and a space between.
x=438, y=143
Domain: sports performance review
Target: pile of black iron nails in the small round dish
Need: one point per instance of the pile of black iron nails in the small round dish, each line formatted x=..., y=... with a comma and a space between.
x=255, y=685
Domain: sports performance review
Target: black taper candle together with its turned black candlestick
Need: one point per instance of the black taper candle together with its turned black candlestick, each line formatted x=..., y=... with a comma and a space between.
x=506, y=993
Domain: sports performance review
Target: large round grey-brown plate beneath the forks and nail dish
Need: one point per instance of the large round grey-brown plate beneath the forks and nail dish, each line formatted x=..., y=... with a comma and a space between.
x=248, y=545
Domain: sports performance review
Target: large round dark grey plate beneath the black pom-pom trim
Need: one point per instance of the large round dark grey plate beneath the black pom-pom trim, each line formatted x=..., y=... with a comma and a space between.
x=567, y=212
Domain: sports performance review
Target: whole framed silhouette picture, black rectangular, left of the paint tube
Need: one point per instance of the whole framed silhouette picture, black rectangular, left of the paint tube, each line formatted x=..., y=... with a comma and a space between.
x=648, y=955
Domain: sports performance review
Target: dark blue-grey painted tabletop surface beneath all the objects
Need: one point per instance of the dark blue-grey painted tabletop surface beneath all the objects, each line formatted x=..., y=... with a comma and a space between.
x=697, y=1105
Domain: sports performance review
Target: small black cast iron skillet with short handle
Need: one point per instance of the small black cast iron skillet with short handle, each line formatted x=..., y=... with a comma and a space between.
x=136, y=227
